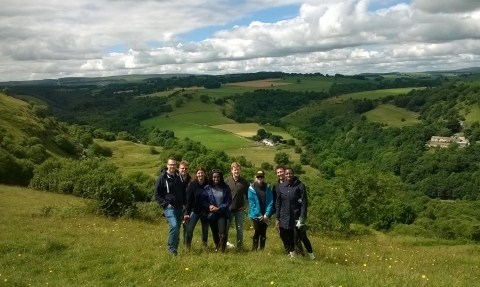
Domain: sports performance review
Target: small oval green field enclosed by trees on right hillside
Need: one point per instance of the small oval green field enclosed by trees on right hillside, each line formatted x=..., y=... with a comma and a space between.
x=392, y=116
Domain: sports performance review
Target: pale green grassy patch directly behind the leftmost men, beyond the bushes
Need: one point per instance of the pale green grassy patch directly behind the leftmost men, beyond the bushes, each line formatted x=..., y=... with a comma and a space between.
x=132, y=157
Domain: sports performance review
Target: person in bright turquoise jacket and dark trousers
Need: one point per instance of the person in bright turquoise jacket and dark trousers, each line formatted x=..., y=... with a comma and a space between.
x=260, y=198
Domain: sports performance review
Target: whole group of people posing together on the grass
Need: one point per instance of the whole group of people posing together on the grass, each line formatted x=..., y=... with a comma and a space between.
x=217, y=201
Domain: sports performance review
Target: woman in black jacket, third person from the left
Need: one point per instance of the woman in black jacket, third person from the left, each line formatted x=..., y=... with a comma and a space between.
x=195, y=208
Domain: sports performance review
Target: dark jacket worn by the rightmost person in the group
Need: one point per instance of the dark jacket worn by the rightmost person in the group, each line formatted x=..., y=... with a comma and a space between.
x=291, y=203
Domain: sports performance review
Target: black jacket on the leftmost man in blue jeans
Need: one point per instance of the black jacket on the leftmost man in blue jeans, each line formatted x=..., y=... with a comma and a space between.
x=170, y=189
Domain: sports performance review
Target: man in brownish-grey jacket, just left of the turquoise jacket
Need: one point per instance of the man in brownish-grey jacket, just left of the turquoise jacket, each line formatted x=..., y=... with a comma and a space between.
x=239, y=187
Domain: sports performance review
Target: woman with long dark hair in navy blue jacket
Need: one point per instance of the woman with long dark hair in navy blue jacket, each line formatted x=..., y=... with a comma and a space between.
x=217, y=198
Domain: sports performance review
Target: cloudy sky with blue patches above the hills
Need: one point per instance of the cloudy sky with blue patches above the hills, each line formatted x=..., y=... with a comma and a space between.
x=53, y=38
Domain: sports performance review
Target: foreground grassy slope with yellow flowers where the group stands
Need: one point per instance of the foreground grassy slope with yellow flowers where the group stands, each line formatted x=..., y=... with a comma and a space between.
x=52, y=240
